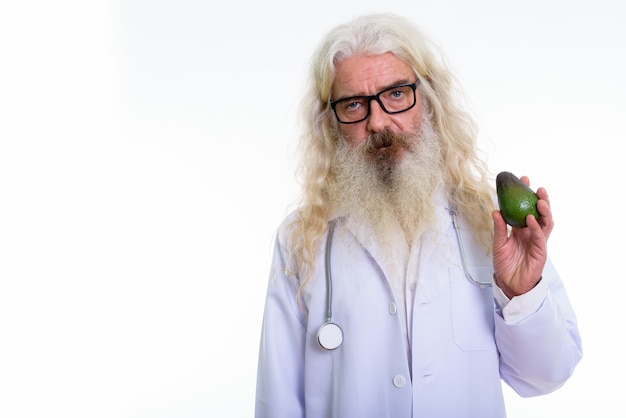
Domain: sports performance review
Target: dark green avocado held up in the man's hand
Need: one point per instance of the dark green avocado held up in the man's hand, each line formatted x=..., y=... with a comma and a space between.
x=516, y=200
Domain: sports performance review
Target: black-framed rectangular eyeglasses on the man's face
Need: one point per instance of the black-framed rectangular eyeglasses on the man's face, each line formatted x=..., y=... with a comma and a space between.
x=393, y=100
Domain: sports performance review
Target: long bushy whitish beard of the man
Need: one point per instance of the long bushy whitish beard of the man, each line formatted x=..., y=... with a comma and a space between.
x=384, y=192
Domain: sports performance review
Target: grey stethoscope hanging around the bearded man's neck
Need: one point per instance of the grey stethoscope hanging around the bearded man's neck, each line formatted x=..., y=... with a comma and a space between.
x=330, y=335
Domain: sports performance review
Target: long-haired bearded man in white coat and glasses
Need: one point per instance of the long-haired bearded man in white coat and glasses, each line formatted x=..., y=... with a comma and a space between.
x=429, y=319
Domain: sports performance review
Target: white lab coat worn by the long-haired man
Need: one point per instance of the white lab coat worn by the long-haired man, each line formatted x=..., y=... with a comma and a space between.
x=460, y=344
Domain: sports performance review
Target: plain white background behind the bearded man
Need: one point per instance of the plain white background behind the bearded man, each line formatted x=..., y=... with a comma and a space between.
x=146, y=160
